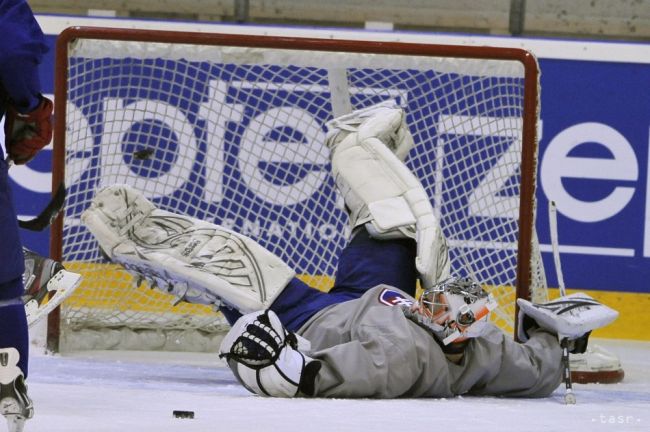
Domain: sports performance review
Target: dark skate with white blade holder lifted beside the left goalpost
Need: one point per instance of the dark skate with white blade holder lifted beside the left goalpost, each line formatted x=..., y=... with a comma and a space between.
x=47, y=284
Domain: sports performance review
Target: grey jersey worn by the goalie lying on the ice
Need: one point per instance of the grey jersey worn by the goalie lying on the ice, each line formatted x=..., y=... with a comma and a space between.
x=358, y=340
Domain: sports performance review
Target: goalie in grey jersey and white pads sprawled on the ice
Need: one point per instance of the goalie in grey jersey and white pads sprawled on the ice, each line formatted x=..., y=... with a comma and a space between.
x=368, y=336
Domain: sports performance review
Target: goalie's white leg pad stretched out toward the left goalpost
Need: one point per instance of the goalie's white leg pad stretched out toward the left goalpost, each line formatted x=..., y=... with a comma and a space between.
x=196, y=261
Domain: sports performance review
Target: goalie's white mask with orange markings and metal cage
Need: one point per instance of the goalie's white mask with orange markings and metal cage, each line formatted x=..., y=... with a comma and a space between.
x=454, y=310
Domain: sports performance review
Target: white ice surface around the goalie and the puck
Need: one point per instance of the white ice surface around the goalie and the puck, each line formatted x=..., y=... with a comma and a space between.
x=131, y=391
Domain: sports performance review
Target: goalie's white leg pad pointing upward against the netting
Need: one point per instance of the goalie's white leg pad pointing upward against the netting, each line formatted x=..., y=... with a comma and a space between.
x=381, y=192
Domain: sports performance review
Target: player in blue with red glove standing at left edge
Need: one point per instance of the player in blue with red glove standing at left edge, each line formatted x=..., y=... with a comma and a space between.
x=27, y=129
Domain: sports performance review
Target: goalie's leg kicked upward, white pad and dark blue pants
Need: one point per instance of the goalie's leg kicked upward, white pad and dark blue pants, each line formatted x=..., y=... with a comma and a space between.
x=397, y=234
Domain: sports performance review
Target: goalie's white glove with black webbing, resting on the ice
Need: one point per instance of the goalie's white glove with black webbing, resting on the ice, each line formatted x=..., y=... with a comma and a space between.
x=267, y=359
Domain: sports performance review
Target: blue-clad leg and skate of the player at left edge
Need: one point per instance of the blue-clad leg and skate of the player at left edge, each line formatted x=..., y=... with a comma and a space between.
x=14, y=339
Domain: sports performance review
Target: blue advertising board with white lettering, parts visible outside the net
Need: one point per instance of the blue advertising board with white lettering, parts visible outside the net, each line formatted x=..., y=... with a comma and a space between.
x=592, y=162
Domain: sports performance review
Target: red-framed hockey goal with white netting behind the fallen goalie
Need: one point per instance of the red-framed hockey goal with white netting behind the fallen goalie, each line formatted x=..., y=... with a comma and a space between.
x=231, y=129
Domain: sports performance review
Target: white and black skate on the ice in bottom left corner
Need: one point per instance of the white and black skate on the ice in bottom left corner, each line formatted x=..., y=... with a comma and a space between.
x=15, y=405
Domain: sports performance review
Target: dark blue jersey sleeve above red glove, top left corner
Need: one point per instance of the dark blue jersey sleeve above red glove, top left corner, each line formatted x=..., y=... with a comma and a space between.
x=22, y=46
